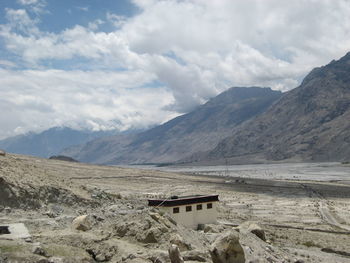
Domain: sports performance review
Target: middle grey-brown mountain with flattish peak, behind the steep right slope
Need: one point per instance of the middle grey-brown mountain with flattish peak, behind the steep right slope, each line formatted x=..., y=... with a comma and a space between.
x=197, y=131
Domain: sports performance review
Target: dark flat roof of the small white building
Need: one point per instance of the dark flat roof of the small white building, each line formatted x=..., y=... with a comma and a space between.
x=183, y=200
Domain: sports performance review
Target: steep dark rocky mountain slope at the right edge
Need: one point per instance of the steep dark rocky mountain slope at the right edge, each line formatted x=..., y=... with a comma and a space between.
x=308, y=123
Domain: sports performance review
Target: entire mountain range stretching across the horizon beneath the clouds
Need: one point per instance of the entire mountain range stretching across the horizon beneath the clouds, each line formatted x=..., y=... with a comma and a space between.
x=310, y=123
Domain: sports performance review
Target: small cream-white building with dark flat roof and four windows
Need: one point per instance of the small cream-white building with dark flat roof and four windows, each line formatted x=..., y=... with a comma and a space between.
x=189, y=211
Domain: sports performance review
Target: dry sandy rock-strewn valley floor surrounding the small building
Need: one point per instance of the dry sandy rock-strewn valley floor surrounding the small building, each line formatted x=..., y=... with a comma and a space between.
x=303, y=209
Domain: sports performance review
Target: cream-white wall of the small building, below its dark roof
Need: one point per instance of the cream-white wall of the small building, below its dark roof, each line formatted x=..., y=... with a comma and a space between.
x=193, y=218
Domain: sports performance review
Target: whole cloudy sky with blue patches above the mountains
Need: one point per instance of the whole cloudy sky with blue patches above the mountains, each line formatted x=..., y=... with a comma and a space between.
x=131, y=64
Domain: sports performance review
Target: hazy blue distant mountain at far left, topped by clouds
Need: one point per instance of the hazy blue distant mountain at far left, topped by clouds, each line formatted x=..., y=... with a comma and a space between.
x=49, y=142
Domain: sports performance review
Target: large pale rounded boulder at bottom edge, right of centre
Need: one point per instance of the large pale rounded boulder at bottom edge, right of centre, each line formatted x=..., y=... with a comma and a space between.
x=227, y=249
